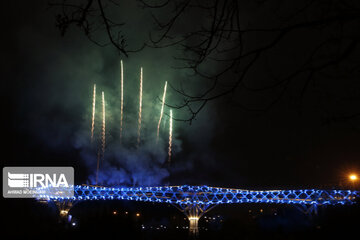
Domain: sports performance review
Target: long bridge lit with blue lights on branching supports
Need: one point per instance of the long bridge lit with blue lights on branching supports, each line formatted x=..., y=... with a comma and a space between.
x=194, y=201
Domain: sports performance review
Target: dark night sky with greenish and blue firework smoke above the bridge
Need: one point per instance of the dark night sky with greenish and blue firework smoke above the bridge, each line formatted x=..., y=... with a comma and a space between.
x=301, y=135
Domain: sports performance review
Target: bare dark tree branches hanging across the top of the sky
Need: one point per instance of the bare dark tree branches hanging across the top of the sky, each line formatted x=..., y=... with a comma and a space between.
x=323, y=37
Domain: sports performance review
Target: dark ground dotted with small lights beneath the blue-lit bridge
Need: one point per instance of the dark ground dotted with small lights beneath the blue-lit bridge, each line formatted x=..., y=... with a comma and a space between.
x=28, y=219
